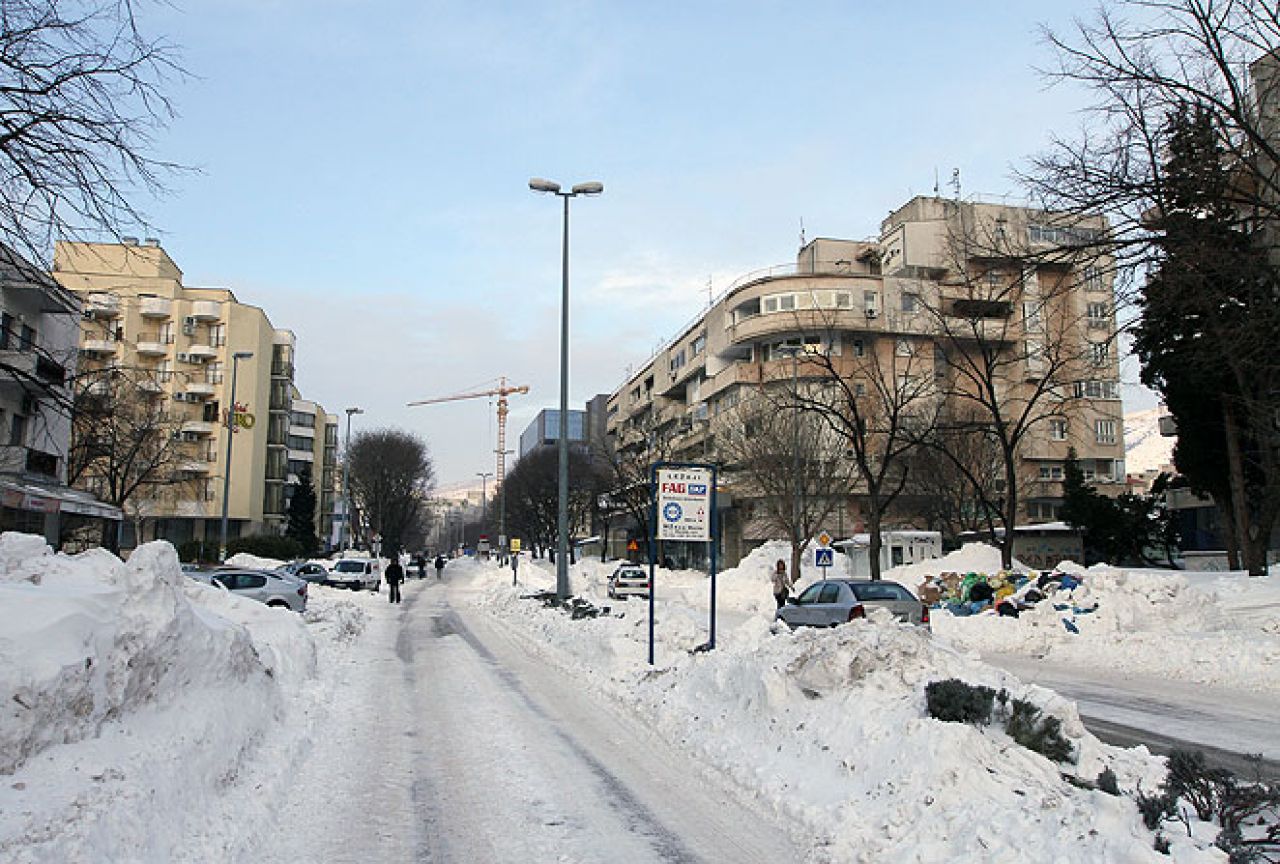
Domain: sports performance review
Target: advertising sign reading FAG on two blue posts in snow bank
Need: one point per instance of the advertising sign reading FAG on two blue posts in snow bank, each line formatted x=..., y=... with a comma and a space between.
x=684, y=510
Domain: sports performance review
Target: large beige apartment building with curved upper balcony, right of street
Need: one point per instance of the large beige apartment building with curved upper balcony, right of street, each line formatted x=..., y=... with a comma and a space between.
x=944, y=278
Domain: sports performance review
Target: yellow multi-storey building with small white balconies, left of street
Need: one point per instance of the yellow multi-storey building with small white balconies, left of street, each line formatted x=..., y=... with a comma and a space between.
x=182, y=341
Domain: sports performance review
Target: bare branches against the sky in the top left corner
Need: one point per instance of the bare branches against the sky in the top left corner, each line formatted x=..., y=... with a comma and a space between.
x=81, y=99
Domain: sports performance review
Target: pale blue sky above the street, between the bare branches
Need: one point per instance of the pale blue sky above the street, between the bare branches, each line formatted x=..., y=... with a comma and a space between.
x=363, y=171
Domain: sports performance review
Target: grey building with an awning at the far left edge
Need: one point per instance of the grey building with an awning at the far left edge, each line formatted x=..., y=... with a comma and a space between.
x=39, y=337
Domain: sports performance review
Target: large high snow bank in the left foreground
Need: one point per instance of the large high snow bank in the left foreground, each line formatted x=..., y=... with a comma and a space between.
x=136, y=700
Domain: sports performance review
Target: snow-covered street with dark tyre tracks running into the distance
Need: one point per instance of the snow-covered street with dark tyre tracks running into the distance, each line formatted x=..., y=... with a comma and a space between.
x=447, y=744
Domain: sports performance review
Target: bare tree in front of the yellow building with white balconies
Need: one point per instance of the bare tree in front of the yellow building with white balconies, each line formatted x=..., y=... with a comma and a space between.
x=126, y=447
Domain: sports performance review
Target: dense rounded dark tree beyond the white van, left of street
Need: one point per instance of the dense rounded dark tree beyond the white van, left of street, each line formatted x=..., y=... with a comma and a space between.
x=392, y=477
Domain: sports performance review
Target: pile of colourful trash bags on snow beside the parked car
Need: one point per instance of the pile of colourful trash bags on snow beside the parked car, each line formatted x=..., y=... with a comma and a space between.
x=1007, y=593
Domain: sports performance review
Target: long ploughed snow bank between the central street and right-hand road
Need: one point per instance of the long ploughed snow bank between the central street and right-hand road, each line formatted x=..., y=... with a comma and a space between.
x=829, y=728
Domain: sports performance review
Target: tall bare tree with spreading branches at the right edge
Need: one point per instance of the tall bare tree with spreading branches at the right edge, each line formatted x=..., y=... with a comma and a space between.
x=1148, y=63
